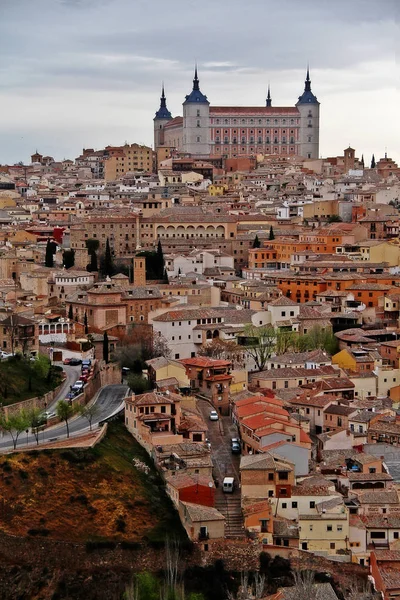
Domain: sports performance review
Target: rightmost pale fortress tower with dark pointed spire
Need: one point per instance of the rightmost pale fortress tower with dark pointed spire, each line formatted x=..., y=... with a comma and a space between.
x=308, y=107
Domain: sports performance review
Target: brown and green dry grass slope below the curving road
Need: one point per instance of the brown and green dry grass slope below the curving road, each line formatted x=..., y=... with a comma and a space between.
x=82, y=495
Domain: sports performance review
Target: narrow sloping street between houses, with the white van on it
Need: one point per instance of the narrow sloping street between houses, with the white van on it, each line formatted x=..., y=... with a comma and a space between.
x=225, y=464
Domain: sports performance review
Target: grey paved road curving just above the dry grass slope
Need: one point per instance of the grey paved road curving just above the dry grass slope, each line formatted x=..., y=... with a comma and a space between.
x=108, y=401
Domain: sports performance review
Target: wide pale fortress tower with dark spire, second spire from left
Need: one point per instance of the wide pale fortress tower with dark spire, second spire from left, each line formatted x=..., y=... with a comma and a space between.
x=196, y=121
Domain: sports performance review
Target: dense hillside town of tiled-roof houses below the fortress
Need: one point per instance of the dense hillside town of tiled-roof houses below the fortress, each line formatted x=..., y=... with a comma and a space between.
x=306, y=251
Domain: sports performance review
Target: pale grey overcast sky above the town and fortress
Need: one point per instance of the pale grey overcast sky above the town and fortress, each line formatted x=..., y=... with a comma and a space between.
x=87, y=73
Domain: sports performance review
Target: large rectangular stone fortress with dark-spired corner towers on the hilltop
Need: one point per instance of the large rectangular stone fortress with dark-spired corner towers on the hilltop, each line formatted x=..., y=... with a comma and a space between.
x=233, y=131
